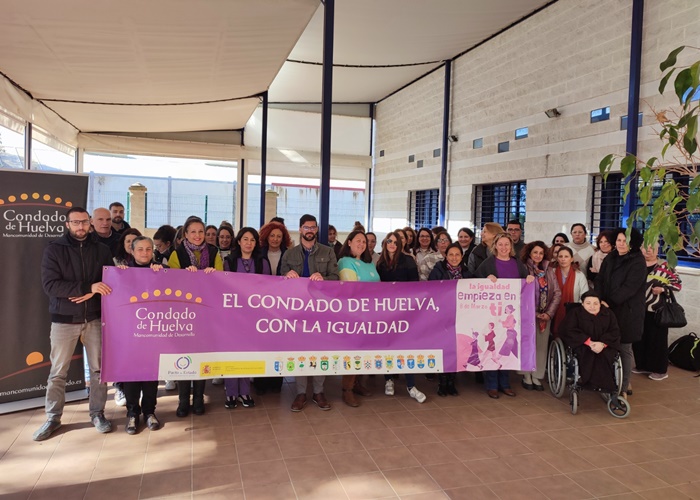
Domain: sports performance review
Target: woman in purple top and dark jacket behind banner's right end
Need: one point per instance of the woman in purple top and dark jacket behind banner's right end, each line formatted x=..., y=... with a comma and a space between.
x=502, y=264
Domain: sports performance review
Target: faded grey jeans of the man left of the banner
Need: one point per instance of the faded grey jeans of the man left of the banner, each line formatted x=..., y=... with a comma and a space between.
x=64, y=338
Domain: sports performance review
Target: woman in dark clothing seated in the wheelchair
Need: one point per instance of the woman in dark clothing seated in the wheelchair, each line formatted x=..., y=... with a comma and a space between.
x=593, y=334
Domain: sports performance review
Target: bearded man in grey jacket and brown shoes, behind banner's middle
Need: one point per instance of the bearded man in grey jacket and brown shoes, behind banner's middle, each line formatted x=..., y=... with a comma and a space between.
x=317, y=262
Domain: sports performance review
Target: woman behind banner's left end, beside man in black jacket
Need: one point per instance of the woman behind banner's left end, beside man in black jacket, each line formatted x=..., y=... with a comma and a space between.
x=147, y=392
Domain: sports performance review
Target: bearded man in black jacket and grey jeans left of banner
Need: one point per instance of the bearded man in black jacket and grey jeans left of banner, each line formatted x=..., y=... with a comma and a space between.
x=71, y=274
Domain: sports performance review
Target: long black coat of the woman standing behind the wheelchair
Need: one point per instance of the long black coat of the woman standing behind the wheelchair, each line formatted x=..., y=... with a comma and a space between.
x=621, y=283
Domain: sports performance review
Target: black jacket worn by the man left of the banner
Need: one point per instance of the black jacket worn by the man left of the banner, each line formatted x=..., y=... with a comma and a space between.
x=69, y=268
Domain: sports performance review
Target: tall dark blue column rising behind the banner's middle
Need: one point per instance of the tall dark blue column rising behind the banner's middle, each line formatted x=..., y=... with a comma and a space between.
x=326, y=117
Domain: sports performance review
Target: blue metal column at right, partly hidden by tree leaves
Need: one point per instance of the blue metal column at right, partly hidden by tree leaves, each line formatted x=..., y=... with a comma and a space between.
x=633, y=100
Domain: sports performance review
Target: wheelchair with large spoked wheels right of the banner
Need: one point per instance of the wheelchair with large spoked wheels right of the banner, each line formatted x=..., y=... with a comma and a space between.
x=563, y=372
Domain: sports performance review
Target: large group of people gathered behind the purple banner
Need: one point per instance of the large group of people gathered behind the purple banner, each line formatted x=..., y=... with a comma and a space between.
x=623, y=276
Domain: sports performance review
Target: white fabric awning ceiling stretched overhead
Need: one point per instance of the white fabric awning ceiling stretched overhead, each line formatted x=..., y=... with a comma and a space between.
x=183, y=65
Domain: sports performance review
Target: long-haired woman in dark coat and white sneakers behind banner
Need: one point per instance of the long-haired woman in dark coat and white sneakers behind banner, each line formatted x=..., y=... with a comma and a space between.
x=395, y=265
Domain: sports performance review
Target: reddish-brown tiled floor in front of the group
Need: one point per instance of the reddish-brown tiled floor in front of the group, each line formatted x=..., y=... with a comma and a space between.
x=469, y=446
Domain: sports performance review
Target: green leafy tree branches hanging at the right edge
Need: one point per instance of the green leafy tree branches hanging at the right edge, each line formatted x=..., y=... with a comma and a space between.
x=669, y=185
